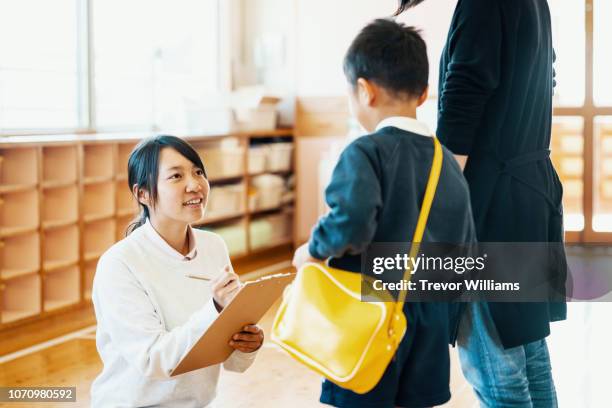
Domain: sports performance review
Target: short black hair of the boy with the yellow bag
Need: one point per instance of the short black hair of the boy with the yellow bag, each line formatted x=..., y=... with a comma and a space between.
x=391, y=55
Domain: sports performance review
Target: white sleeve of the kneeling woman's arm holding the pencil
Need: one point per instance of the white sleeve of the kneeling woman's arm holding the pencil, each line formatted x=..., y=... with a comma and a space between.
x=126, y=314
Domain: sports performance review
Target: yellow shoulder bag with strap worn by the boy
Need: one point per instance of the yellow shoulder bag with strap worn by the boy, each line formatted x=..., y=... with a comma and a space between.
x=324, y=324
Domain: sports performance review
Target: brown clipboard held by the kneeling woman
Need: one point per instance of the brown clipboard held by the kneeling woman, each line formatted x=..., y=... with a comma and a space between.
x=248, y=307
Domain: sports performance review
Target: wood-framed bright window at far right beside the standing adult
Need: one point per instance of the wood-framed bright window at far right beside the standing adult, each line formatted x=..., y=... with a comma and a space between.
x=582, y=129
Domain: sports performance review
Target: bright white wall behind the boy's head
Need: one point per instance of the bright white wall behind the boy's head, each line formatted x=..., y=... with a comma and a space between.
x=316, y=35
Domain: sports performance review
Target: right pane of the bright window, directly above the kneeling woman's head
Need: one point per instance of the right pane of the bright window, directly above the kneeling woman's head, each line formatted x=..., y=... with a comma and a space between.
x=153, y=61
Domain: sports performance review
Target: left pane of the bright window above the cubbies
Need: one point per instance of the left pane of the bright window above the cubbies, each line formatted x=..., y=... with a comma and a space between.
x=39, y=64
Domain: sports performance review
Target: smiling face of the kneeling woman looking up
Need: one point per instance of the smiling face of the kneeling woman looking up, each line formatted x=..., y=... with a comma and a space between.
x=182, y=189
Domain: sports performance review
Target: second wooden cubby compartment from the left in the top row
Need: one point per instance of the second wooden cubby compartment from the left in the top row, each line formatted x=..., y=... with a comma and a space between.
x=59, y=165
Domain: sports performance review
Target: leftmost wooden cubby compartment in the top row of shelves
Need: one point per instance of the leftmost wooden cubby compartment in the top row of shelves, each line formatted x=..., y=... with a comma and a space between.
x=18, y=168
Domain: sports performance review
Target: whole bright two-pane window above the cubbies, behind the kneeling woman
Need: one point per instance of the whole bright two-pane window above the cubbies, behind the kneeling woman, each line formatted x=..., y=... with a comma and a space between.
x=153, y=63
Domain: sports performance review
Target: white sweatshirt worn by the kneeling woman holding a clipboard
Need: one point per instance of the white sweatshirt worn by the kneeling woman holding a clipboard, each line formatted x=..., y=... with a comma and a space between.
x=150, y=314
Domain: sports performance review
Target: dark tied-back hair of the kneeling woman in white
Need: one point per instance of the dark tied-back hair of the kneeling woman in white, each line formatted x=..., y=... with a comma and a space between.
x=143, y=169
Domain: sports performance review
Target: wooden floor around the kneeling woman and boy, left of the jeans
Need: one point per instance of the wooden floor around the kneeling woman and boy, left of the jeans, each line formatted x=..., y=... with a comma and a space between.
x=273, y=381
